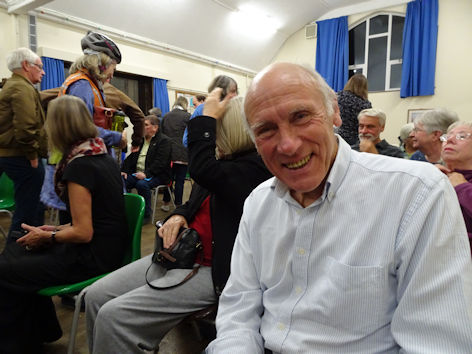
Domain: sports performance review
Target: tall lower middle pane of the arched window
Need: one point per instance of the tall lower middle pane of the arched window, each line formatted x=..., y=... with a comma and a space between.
x=377, y=64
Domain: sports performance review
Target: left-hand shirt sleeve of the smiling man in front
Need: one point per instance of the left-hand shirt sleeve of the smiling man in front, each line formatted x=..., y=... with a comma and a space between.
x=240, y=306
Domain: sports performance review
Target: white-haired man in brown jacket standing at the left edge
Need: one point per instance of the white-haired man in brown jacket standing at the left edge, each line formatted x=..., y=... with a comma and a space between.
x=22, y=138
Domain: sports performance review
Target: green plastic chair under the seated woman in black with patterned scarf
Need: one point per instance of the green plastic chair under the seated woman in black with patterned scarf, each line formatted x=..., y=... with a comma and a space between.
x=134, y=205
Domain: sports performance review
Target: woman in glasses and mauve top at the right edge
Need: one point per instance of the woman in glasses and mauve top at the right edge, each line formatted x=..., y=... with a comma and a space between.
x=457, y=155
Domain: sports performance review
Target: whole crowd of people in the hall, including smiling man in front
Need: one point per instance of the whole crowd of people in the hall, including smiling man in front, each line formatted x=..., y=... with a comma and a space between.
x=318, y=235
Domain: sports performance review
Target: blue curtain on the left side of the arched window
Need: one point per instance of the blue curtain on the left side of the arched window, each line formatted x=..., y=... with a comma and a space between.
x=332, y=51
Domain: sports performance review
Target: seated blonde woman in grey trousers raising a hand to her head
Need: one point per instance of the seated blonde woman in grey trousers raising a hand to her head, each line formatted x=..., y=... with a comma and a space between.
x=123, y=313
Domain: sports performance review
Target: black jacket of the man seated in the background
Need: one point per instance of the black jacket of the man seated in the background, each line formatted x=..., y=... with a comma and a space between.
x=157, y=159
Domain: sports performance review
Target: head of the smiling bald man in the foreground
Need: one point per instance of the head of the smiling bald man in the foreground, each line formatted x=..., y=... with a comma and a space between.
x=293, y=133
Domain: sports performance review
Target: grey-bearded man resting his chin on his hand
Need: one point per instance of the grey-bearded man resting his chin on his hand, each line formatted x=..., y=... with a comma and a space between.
x=371, y=125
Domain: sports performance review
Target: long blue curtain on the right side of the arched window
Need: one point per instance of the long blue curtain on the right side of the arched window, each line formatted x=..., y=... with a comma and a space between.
x=420, y=35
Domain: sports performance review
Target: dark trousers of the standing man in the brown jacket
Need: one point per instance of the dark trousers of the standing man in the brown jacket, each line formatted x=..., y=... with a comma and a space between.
x=28, y=182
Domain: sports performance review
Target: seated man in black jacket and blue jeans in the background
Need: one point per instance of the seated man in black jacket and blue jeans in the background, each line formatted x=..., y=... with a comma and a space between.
x=150, y=165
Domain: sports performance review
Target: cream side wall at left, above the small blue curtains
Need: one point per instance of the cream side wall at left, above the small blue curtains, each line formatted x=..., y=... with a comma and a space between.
x=62, y=41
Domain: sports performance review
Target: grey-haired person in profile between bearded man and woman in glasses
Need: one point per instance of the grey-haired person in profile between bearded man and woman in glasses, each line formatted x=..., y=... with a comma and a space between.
x=427, y=132
